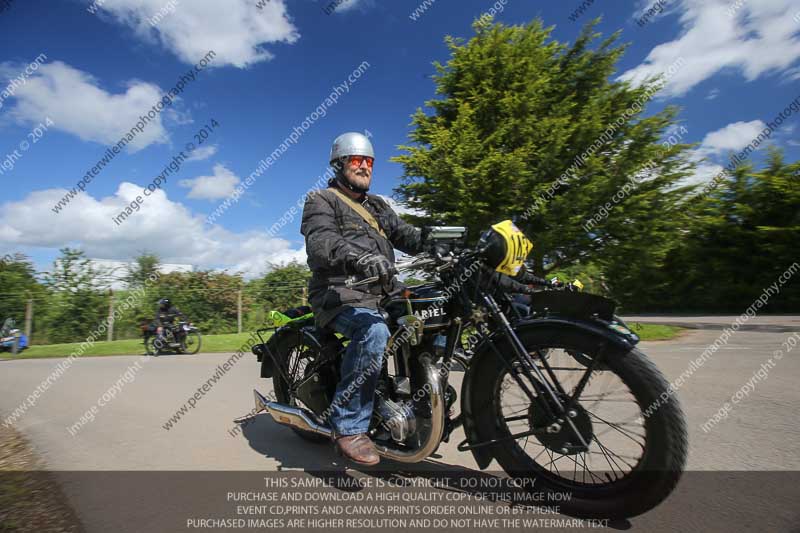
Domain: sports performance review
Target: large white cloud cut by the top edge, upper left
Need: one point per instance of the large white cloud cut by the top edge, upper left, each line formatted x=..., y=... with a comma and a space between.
x=235, y=29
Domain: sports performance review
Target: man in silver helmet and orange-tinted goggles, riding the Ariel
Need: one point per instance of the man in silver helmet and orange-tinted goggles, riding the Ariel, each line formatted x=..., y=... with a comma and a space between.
x=348, y=231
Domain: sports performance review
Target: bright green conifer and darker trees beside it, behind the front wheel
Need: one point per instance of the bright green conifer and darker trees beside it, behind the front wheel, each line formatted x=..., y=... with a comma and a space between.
x=543, y=132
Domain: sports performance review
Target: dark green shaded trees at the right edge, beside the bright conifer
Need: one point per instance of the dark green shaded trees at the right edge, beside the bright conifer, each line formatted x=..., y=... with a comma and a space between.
x=741, y=237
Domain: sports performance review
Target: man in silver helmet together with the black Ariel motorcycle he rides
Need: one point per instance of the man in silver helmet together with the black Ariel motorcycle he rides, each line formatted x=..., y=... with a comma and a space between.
x=524, y=380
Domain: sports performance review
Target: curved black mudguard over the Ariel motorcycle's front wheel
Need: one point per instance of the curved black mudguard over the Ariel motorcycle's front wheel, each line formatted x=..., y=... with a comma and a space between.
x=470, y=396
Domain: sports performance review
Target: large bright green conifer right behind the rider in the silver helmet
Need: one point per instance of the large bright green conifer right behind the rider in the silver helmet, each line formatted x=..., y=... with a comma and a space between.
x=515, y=113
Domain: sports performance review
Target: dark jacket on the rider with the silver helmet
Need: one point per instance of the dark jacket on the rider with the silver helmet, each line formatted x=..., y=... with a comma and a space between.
x=335, y=236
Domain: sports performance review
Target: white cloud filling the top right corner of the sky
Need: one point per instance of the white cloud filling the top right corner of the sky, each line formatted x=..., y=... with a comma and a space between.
x=760, y=38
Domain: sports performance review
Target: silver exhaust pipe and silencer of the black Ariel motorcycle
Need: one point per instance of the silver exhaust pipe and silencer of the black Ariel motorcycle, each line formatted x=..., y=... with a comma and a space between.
x=298, y=418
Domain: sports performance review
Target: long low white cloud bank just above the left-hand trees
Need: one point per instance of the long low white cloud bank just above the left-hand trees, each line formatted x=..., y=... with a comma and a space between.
x=88, y=224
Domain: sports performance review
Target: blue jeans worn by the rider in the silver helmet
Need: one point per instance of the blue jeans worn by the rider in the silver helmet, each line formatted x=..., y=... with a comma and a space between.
x=352, y=404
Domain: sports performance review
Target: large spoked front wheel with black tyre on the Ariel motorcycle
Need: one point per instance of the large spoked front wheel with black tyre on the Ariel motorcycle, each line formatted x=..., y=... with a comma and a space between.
x=605, y=459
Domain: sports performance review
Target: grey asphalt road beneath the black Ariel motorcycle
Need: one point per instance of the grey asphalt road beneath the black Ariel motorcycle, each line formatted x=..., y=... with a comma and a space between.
x=760, y=433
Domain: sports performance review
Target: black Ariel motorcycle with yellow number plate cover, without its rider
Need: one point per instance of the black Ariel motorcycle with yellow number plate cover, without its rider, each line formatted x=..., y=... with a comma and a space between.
x=559, y=396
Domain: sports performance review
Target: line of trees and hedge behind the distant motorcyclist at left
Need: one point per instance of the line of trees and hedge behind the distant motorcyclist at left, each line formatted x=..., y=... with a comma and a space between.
x=74, y=296
